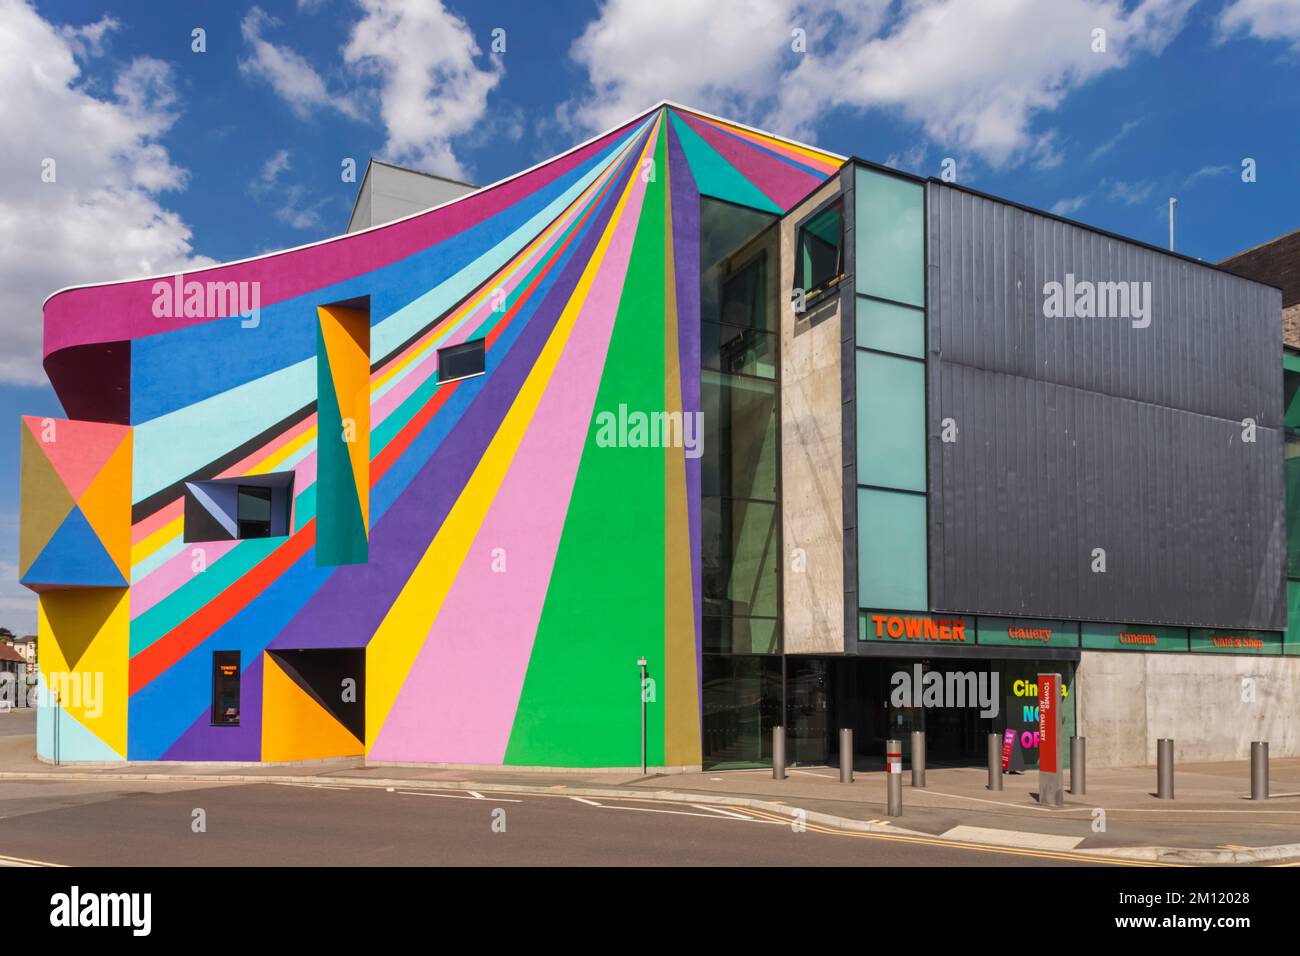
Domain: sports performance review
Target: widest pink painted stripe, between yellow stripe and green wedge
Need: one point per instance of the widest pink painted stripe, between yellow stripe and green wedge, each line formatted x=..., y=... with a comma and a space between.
x=460, y=700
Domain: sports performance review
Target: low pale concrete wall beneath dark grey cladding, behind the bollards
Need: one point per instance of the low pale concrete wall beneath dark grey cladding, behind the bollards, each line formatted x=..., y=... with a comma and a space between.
x=1212, y=706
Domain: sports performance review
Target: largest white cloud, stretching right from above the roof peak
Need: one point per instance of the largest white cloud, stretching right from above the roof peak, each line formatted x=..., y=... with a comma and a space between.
x=974, y=77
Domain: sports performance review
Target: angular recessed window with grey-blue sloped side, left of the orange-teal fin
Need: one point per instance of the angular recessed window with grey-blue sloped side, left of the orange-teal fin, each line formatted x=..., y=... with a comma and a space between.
x=239, y=508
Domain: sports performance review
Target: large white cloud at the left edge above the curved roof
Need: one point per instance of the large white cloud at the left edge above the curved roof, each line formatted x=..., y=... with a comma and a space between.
x=102, y=218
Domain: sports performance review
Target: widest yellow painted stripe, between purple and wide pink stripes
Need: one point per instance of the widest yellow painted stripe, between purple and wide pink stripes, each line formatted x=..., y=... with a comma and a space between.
x=392, y=652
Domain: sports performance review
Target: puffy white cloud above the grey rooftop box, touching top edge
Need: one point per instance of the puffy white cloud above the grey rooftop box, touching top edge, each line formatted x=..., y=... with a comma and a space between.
x=432, y=88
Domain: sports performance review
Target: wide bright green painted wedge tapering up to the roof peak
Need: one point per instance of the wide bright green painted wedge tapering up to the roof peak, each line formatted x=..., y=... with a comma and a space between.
x=604, y=609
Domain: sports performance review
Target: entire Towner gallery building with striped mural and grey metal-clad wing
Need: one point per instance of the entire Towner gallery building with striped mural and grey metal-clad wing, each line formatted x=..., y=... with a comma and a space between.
x=788, y=427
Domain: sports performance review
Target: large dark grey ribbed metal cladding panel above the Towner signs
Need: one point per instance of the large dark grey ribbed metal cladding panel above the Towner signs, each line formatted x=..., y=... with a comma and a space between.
x=1082, y=434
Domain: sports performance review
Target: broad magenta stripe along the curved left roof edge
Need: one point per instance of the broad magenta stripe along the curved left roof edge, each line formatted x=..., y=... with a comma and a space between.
x=124, y=310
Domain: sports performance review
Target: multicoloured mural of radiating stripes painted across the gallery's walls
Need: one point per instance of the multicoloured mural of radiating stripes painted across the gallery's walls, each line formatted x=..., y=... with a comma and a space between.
x=484, y=568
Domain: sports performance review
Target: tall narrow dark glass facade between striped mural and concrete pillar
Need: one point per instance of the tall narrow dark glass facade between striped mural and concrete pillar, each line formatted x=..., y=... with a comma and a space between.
x=740, y=485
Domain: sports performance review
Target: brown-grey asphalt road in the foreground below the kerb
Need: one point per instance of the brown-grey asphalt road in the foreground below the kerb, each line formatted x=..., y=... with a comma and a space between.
x=93, y=824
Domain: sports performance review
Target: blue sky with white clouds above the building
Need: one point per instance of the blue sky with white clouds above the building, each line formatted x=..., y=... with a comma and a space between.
x=171, y=158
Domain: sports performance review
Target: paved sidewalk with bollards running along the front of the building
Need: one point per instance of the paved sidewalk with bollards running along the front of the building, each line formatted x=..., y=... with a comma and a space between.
x=1212, y=820
